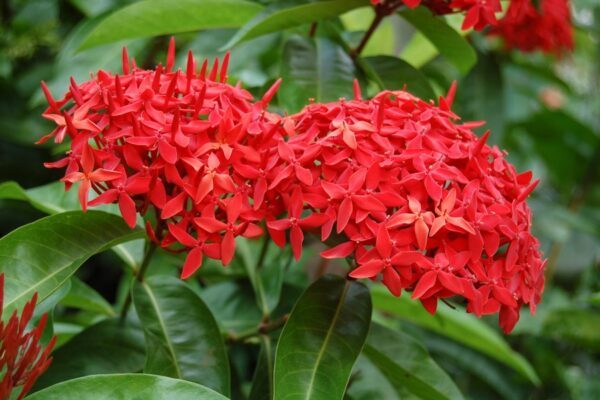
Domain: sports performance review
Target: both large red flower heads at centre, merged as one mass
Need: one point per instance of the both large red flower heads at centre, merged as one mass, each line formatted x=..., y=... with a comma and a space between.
x=392, y=183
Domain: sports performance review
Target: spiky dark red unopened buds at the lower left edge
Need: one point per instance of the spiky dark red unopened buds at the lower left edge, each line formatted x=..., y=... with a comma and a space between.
x=22, y=359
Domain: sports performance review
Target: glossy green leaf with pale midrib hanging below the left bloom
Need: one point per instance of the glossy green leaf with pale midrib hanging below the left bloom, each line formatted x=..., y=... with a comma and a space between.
x=182, y=337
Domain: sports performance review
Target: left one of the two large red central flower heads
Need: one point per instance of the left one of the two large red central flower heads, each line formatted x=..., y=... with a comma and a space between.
x=172, y=140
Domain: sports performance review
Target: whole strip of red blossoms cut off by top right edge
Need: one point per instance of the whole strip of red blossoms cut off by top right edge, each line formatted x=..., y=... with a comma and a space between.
x=527, y=25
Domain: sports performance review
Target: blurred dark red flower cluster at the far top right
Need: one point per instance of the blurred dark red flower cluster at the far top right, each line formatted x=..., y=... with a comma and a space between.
x=546, y=27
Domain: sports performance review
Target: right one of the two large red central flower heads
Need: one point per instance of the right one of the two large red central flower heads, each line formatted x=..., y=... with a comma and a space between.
x=417, y=201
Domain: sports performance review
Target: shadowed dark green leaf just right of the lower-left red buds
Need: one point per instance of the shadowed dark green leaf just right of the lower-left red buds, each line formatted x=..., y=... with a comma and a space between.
x=110, y=346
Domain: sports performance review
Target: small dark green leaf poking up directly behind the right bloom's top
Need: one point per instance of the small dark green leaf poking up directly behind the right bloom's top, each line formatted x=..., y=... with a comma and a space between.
x=393, y=73
